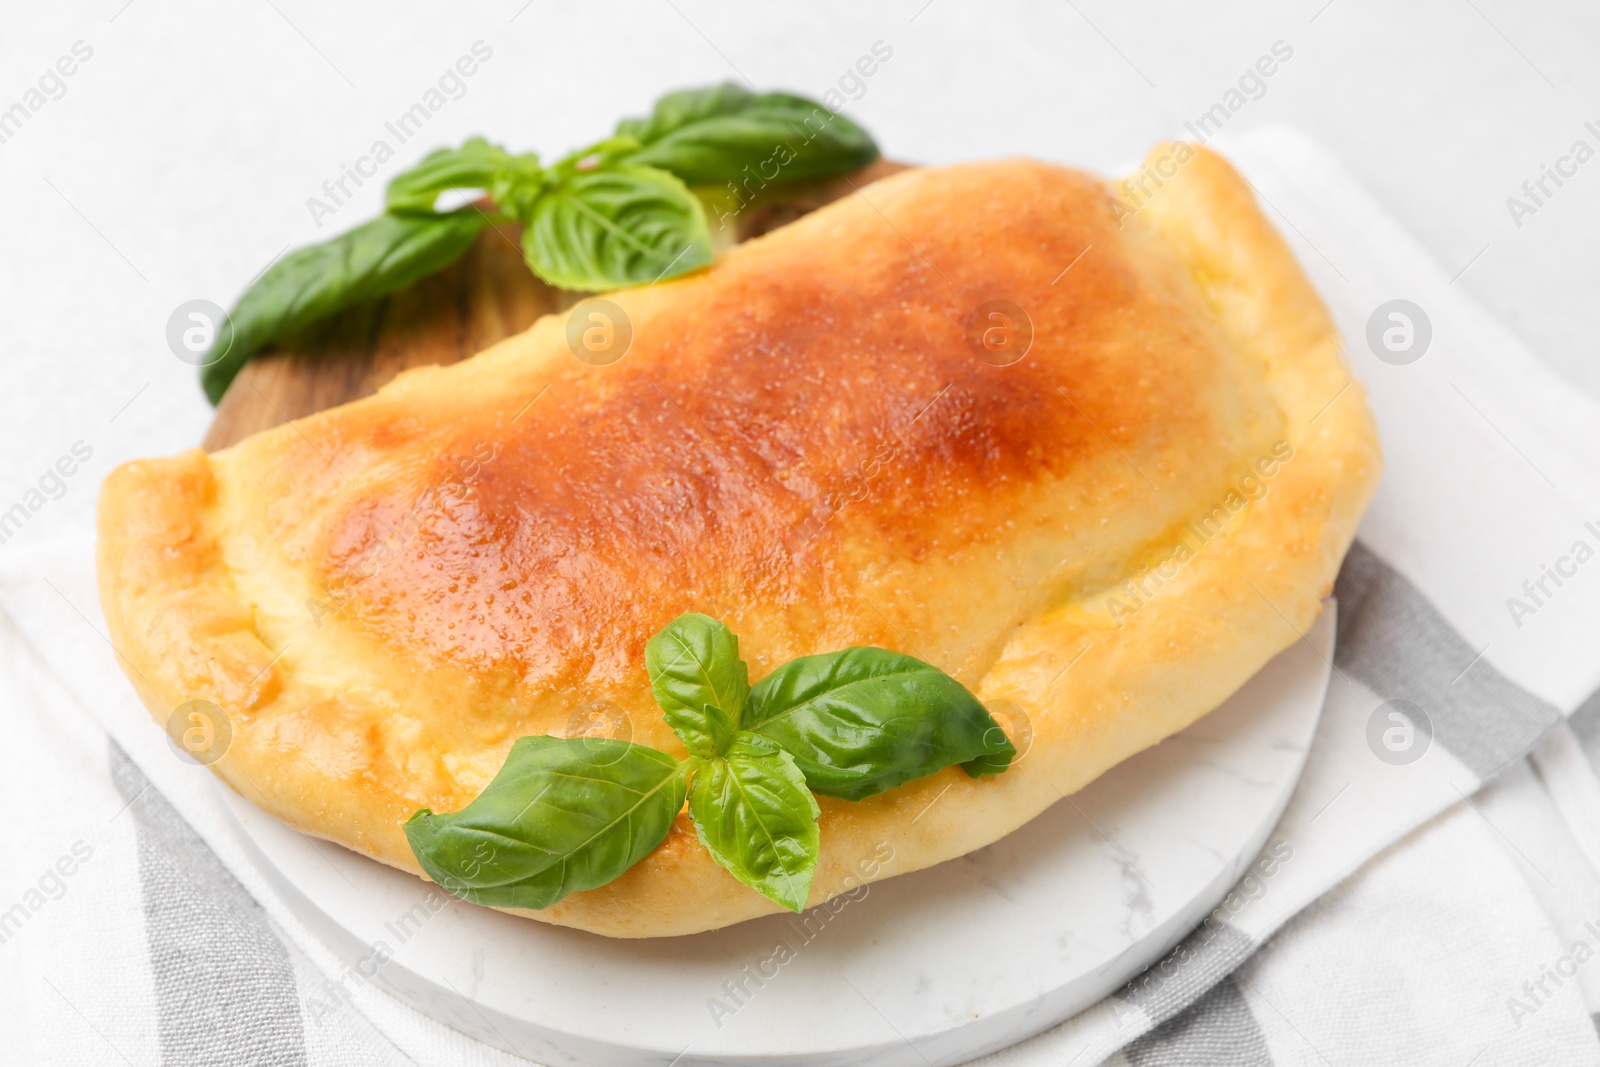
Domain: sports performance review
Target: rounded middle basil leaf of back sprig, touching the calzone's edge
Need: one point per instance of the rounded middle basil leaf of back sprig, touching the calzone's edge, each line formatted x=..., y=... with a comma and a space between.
x=615, y=226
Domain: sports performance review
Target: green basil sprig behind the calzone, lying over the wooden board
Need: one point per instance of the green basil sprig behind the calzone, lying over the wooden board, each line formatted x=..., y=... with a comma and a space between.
x=610, y=215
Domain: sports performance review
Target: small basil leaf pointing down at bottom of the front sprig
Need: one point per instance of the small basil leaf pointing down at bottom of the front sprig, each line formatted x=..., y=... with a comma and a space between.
x=756, y=818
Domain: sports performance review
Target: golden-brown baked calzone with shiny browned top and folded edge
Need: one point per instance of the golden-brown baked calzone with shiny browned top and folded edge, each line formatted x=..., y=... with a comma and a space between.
x=802, y=442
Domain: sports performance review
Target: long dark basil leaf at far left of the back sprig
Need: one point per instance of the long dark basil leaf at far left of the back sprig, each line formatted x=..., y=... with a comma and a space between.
x=374, y=260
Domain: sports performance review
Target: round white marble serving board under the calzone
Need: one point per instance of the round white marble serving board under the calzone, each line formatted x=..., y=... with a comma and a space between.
x=924, y=970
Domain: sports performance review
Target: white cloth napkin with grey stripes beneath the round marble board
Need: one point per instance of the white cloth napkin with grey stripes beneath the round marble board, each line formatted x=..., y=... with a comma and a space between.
x=134, y=929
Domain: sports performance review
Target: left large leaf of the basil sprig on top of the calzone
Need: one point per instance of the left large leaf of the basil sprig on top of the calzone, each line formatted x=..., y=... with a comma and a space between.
x=562, y=815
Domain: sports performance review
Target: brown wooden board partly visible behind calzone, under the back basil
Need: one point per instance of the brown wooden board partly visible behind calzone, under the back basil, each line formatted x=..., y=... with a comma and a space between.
x=482, y=298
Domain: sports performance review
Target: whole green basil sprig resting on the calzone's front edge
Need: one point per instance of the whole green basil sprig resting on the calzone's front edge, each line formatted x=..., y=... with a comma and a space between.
x=569, y=815
